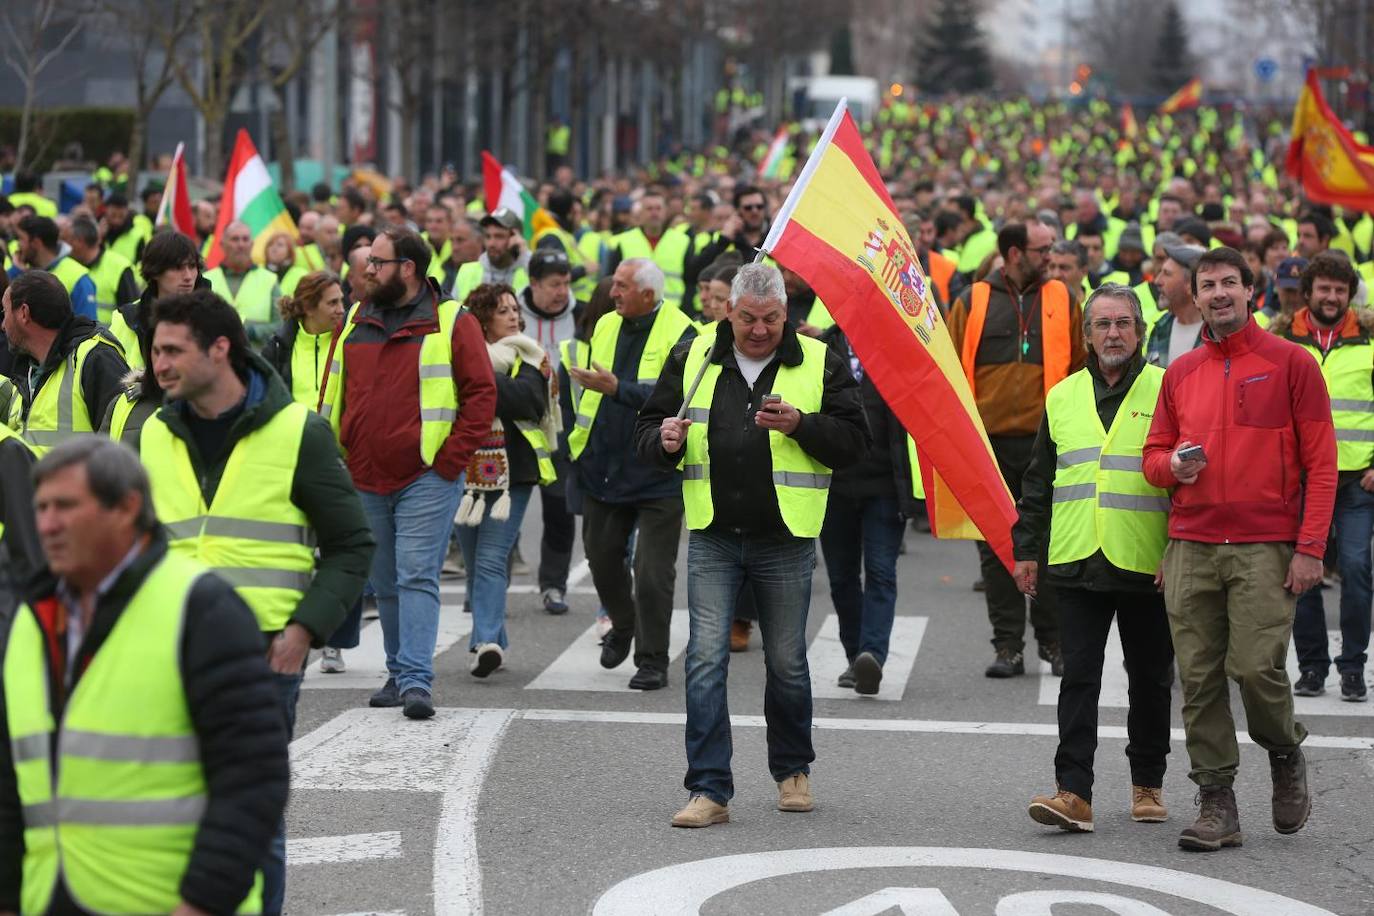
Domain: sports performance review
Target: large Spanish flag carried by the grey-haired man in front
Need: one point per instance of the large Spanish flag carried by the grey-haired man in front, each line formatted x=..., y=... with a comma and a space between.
x=840, y=230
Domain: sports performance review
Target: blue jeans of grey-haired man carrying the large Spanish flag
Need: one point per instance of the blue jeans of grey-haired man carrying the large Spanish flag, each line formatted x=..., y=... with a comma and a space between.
x=780, y=569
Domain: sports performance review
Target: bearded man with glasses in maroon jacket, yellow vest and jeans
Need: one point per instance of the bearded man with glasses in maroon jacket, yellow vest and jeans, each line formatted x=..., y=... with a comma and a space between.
x=410, y=395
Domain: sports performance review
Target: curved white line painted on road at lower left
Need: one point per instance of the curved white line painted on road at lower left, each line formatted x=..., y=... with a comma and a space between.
x=458, y=877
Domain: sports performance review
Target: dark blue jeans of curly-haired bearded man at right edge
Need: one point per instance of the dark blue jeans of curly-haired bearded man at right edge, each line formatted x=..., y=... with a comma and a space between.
x=1354, y=518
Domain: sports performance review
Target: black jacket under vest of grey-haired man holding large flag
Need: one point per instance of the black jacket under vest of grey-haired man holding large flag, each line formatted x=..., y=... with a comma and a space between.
x=741, y=461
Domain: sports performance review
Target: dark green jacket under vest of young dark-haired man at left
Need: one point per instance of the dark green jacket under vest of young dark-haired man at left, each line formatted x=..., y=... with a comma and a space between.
x=322, y=490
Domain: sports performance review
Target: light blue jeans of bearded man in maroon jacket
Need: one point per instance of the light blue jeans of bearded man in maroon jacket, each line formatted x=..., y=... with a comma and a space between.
x=412, y=528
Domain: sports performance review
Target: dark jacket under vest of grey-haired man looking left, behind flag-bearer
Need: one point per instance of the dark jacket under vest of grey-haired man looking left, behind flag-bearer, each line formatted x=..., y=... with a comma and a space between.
x=608, y=469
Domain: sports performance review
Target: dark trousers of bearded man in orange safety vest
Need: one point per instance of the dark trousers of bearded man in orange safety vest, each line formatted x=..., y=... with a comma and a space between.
x=1006, y=604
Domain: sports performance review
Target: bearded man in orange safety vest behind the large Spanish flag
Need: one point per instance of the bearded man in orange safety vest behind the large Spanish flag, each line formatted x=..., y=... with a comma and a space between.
x=1017, y=334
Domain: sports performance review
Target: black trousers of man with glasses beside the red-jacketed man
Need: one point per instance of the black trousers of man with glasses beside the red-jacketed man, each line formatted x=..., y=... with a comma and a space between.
x=1085, y=623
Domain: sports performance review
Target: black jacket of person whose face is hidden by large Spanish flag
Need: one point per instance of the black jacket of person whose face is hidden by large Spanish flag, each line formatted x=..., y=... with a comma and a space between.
x=886, y=472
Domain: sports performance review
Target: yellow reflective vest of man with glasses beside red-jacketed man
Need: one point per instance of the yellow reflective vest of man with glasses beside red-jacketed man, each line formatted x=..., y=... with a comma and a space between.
x=1101, y=498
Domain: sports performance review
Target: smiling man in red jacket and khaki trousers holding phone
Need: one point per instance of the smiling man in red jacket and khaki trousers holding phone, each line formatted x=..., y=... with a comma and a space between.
x=1247, y=535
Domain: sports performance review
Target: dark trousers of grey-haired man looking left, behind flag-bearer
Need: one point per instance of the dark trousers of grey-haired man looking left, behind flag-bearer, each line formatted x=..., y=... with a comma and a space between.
x=641, y=602
